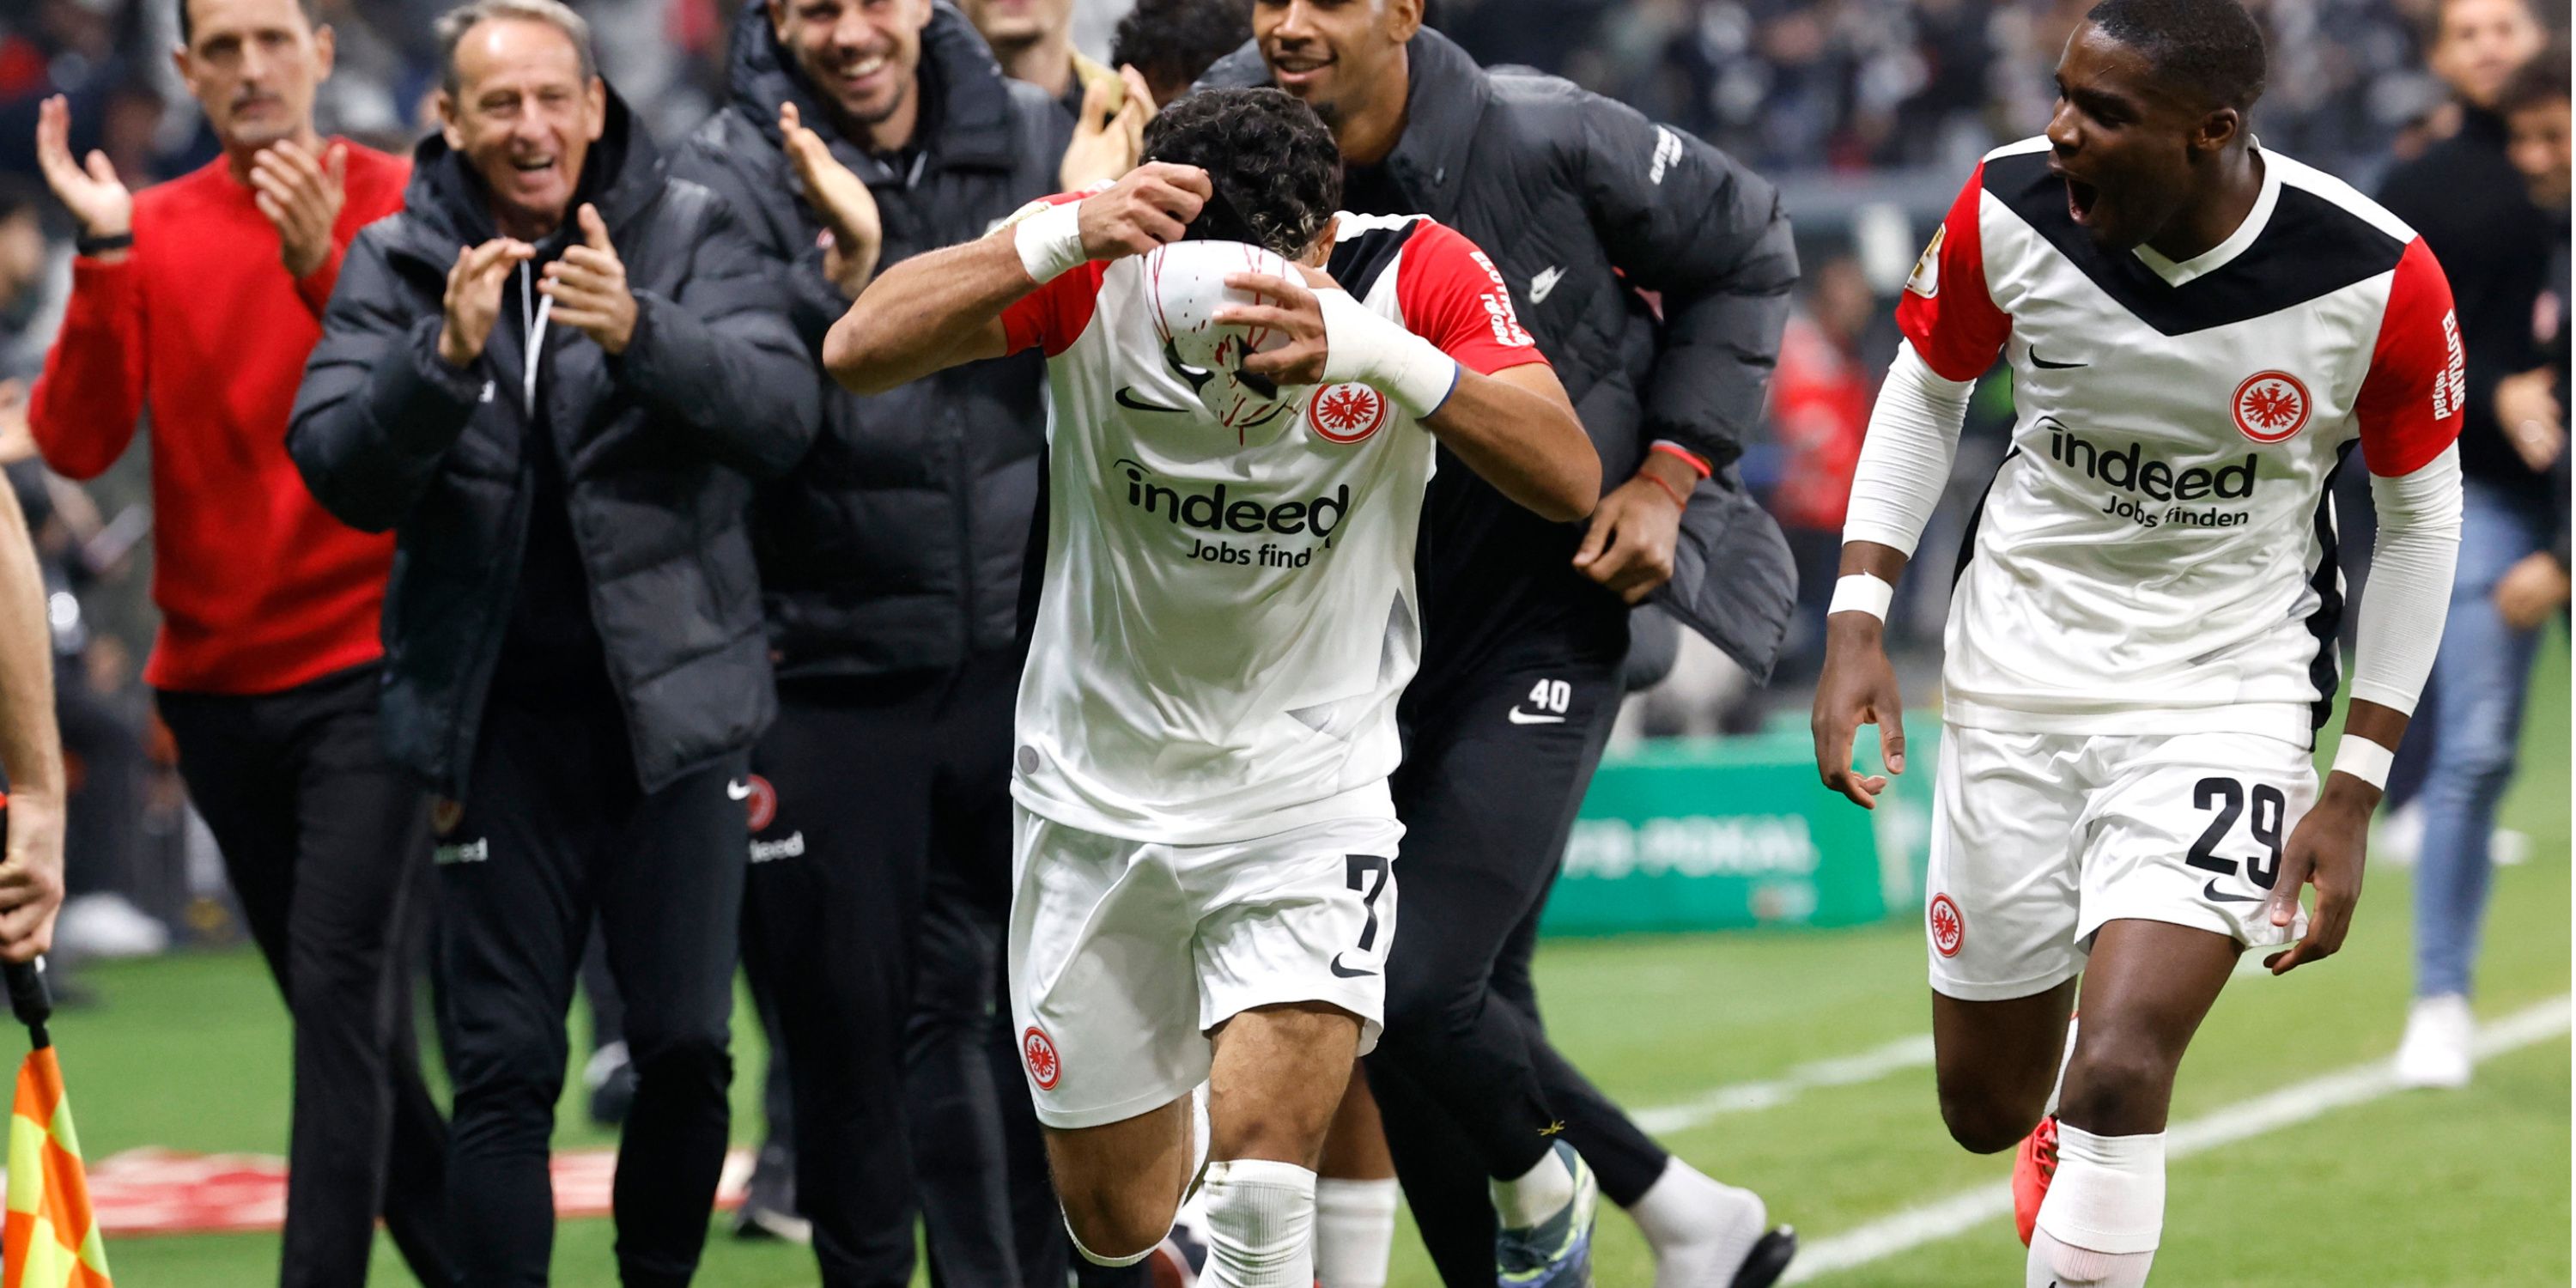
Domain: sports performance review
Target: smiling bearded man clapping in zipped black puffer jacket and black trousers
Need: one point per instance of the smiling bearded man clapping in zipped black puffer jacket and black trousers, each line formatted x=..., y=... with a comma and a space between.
x=862, y=135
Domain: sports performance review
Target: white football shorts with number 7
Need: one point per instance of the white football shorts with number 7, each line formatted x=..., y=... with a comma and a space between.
x=1124, y=954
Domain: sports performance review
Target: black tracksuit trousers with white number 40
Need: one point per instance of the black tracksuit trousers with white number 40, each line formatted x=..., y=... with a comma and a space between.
x=1495, y=769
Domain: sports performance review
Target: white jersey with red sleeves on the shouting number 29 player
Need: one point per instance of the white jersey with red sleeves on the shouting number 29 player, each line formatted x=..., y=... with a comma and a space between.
x=2157, y=550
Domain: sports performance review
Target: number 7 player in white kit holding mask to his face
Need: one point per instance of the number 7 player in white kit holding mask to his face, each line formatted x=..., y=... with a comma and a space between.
x=1225, y=627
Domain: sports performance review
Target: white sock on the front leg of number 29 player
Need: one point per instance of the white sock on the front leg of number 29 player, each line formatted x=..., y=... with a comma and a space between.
x=2103, y=1215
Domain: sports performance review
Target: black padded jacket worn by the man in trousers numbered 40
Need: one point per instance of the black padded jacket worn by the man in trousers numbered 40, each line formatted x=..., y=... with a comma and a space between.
x=1583, y=205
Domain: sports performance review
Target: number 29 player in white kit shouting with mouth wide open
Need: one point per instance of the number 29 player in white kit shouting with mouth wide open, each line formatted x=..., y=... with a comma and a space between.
x=2145, y=622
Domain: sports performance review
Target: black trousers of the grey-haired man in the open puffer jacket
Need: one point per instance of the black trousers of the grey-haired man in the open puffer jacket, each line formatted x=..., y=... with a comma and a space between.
x=553, y=838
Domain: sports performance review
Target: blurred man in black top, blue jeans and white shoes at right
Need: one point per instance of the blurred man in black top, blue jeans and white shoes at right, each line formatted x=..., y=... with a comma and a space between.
x=2495, y=243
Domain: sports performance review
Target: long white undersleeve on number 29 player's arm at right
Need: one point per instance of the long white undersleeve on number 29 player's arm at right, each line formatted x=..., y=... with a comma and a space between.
x=2410, y=581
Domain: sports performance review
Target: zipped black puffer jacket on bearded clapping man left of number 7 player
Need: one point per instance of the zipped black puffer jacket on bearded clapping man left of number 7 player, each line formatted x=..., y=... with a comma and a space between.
x=898, y=545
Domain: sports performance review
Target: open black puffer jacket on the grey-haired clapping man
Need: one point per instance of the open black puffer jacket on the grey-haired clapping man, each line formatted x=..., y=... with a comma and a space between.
x=658, y=452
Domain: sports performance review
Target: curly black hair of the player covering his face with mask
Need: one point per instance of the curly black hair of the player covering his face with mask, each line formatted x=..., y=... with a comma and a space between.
x=1269, y=156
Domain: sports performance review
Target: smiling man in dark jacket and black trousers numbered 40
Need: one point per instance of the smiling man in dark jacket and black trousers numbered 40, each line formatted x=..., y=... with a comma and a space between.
x=1578, y=205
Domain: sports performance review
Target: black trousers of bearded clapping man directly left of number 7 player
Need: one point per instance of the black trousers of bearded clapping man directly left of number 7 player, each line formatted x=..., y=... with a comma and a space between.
x=877, y=895
